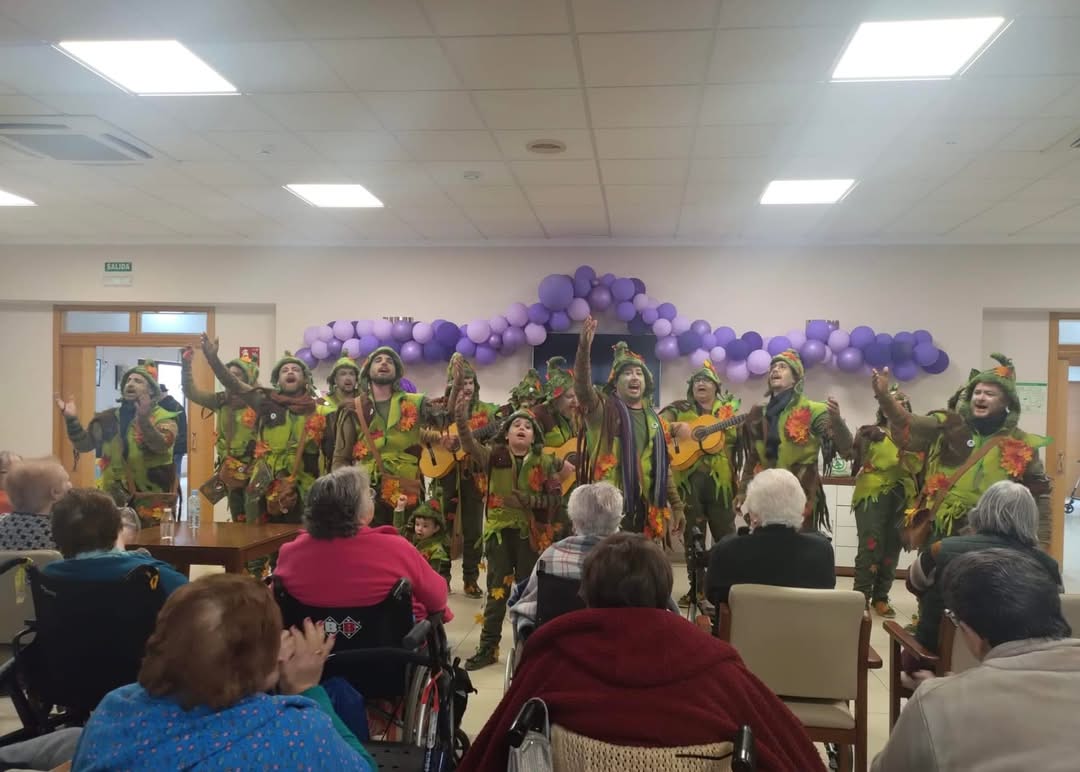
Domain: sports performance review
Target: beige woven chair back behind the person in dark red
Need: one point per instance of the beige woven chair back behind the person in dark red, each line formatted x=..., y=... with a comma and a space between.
x=574, y=752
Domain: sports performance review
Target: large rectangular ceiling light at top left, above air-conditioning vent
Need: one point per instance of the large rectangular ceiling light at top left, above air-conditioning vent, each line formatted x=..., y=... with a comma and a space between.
x=148, y=67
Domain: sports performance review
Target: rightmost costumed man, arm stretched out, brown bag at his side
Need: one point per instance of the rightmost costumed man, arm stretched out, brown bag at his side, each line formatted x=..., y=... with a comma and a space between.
x=969, y=448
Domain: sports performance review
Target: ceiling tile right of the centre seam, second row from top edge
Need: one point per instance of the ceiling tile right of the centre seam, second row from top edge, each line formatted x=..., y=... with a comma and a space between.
x=645, y=59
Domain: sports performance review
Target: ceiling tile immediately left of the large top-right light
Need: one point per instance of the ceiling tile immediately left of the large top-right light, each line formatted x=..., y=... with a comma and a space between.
x=795, y=55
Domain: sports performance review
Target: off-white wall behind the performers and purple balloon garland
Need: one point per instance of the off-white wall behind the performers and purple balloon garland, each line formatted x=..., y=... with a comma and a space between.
x=267, y=297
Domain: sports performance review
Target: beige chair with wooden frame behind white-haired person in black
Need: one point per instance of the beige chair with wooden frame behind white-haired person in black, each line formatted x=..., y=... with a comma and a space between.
x=812, y=647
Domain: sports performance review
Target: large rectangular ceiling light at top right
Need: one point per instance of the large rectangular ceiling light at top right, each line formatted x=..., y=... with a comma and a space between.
x=921, y=50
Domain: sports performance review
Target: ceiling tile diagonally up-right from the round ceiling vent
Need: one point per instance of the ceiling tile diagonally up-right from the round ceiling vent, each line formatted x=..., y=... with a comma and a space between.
x=647, y=106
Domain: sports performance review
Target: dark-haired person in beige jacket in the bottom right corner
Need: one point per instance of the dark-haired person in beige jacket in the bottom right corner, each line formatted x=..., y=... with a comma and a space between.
x=1016, y=711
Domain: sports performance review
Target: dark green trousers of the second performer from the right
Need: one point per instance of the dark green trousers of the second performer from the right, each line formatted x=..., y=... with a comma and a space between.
x=879, y=526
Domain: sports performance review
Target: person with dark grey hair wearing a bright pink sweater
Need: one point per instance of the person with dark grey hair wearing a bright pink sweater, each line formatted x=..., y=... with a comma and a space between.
x=340, y=562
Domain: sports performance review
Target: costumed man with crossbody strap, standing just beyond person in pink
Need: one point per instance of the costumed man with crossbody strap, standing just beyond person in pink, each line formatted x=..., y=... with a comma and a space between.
x=384, y=432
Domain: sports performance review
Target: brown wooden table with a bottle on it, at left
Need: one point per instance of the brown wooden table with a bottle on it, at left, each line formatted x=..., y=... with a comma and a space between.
x=229, y=545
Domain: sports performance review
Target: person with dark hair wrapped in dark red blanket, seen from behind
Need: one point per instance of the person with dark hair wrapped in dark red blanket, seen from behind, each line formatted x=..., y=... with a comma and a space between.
x=628, y=672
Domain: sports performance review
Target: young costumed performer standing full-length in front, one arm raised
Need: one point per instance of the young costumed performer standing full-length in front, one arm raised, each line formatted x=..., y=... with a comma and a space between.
x=524, y=491
